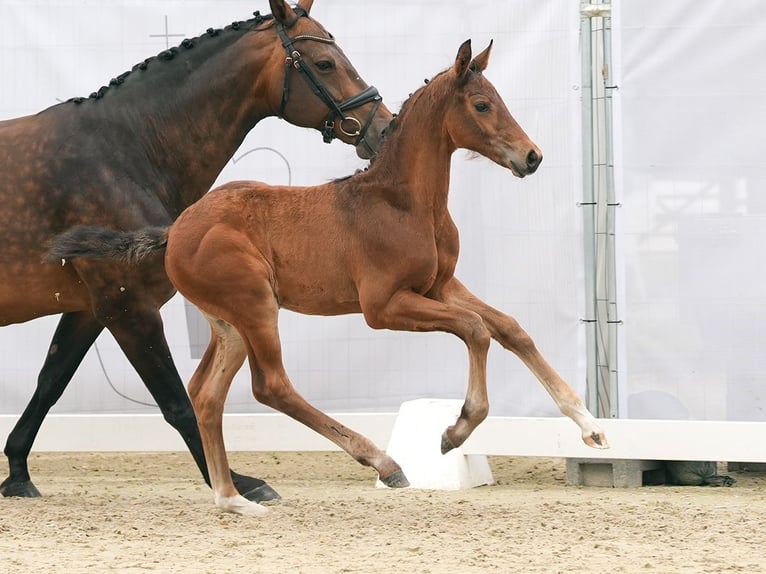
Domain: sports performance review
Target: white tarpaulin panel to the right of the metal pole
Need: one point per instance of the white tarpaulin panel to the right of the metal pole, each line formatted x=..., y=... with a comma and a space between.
x=693, y=221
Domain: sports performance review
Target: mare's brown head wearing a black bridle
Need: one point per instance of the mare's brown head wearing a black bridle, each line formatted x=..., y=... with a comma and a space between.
x=317, y=85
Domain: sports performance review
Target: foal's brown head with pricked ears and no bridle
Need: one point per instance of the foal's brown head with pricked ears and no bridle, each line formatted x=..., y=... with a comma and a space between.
x=477, y=119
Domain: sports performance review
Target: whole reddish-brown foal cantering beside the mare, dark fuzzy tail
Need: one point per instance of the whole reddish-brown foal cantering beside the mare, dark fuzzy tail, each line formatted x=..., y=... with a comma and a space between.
x=380, y=242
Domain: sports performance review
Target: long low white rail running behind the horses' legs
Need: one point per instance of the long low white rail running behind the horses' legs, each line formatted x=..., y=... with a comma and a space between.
x=506, y=436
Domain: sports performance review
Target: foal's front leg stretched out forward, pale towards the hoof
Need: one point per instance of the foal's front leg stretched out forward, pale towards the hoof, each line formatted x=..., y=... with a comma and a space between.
x=509, y=334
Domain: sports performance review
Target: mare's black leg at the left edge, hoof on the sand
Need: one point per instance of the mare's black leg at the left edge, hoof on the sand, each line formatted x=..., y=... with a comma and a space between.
x=74, y=335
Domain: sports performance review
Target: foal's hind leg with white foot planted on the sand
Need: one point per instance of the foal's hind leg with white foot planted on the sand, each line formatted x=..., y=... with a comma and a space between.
x=208, y=388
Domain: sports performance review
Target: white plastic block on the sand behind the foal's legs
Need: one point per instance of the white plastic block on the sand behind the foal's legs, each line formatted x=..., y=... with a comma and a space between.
x=415, y=444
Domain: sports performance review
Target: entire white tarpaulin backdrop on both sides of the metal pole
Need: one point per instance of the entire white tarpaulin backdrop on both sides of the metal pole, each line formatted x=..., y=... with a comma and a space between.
x=690, y=179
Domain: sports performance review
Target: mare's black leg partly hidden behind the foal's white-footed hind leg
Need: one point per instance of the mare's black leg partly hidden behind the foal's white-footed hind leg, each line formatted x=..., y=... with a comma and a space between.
x=141, y=337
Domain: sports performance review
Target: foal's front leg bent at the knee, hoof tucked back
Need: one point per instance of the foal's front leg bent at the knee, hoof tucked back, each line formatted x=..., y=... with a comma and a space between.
x=408, y=311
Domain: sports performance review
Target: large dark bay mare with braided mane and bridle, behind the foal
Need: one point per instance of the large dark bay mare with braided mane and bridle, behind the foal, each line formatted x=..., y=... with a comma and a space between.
x=137, y=153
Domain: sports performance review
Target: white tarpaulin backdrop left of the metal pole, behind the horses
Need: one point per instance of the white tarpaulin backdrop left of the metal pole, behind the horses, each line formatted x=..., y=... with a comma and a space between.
x=521, y=241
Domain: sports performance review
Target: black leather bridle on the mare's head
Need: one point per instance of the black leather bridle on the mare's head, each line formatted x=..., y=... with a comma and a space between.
x=347, y=125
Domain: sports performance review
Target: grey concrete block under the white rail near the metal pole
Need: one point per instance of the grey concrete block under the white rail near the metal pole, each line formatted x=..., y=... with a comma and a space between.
x=614, y=473
